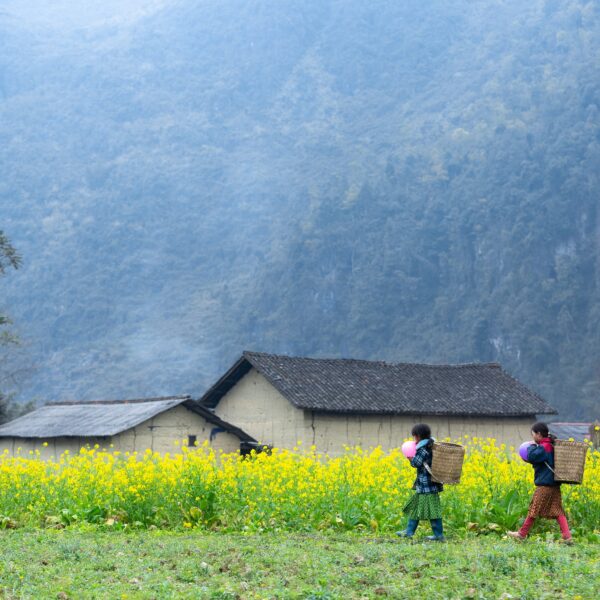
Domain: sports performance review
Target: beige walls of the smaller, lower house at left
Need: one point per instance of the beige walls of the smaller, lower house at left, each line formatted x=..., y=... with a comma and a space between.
x=159, y=434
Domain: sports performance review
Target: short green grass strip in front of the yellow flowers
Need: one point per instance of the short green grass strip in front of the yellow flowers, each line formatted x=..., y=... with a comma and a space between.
x=154, y=564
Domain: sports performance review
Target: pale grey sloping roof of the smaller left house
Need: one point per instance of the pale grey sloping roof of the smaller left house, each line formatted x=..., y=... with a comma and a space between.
x=87, y=419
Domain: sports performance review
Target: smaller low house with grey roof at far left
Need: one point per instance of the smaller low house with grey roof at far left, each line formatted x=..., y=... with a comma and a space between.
x=129, y=425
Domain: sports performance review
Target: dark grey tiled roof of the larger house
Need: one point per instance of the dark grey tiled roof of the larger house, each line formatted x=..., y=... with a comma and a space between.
x=362, y=387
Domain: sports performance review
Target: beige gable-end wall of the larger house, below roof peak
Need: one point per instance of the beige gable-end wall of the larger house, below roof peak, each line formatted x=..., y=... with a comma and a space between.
x=260, y=410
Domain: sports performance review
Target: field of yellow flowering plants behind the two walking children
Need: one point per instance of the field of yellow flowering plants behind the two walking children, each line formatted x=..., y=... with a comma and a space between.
x=281, y=490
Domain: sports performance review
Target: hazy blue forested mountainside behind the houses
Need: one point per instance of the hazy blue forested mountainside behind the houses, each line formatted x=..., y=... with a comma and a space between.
x=406, y=181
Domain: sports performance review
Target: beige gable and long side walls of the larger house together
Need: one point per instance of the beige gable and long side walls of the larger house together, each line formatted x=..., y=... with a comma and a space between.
x=260, y=410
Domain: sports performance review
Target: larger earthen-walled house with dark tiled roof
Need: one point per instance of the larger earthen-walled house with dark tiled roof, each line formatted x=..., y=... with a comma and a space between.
x=329, y=403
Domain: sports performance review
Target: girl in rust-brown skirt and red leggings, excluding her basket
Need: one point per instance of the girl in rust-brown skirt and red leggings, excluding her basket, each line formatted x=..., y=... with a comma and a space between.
x=547, y=500
